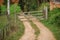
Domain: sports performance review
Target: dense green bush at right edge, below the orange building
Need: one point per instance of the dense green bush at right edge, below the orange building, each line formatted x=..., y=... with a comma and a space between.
x=54, y=16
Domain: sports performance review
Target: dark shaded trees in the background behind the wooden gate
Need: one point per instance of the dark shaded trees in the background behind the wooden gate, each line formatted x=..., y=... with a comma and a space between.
x=29, y=5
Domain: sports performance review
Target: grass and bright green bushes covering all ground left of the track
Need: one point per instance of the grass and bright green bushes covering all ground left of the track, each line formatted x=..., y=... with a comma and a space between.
x=13, y=28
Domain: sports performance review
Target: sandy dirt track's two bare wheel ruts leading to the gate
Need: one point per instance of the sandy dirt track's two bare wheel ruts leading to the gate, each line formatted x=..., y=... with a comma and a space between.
x=45, y=33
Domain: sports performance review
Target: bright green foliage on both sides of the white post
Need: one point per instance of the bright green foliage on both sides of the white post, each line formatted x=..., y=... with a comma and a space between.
x=14, y=8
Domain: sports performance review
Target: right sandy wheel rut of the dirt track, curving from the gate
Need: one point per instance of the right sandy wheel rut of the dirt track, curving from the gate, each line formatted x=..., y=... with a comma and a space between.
x=45, y=33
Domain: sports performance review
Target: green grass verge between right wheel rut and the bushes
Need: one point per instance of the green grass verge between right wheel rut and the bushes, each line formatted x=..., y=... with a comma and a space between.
x=55, y=30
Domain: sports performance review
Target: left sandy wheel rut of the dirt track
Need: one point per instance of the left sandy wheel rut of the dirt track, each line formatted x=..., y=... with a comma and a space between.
x=29, y=32
